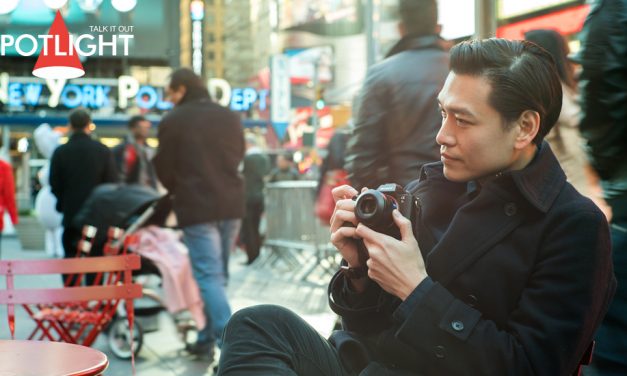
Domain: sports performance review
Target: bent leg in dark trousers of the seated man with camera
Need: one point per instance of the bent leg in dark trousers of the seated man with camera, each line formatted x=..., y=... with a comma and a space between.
x=271, y=340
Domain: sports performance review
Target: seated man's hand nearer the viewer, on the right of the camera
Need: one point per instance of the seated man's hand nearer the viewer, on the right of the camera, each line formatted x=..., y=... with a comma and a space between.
x=396, y=265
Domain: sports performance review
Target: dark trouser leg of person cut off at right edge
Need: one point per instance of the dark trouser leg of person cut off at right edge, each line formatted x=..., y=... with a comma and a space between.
x=609, y=356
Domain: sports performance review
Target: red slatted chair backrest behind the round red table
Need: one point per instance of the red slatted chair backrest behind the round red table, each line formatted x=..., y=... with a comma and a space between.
x=123, y=288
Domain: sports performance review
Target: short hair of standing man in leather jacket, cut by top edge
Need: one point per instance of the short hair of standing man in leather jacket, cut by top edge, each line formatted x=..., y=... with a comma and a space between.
x=419, y=17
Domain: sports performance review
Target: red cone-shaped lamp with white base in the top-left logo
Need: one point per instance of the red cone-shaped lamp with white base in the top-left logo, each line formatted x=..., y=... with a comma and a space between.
x=58, y=58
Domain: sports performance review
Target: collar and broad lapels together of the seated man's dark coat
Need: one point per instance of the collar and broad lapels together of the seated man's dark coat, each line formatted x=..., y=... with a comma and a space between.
x=500, y=206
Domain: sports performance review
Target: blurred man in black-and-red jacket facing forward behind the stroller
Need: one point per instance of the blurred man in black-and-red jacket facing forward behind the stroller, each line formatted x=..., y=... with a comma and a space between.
x=133, y=156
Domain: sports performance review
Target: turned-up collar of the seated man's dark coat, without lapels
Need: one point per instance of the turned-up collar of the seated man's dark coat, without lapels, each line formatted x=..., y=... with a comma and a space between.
x=539, y=183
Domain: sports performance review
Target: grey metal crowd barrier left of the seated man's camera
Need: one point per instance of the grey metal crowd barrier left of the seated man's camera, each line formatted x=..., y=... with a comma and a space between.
x=296, y=241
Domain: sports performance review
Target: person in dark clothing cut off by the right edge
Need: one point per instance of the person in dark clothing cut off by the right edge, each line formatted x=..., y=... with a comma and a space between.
x=603, y=85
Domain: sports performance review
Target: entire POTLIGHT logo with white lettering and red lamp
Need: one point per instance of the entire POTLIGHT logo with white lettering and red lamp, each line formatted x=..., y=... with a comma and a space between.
x=60, y=52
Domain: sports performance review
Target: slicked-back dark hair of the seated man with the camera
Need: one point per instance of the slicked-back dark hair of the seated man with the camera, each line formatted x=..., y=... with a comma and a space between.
x=522, y=76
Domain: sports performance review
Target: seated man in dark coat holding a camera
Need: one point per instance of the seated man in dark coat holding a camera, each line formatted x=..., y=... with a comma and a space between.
x=505, y=270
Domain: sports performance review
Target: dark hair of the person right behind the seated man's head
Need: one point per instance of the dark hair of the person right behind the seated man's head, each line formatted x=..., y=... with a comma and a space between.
x=555, y=44
